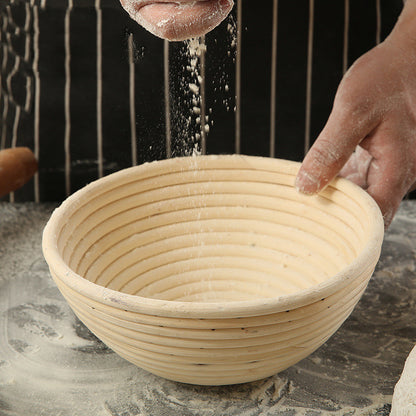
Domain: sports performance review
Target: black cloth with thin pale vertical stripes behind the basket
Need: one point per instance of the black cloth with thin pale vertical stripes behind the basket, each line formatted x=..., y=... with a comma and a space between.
x=19, y=30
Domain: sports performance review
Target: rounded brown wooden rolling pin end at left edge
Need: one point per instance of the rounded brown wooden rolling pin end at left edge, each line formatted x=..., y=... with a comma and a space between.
x=17, y=166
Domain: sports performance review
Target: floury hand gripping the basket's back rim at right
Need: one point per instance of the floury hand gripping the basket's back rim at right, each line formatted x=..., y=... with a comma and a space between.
x=374, y=109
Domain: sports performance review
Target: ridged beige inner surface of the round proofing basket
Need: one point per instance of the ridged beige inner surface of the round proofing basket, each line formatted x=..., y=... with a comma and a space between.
x=211, y=229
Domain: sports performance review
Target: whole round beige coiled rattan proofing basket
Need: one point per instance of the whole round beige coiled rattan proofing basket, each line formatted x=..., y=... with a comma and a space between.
x=213, y=269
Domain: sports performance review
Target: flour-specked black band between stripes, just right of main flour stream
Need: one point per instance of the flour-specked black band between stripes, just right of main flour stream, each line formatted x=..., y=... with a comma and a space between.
x=220, y=86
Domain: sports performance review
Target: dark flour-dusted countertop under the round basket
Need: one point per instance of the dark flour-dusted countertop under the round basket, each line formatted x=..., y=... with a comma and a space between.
x=50, y=364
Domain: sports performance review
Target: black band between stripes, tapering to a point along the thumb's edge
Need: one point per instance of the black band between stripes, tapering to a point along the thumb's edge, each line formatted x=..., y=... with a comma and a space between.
x=327, y=63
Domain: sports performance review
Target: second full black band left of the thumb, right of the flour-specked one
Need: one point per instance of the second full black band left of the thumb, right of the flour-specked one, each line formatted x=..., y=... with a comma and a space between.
x=255, y=77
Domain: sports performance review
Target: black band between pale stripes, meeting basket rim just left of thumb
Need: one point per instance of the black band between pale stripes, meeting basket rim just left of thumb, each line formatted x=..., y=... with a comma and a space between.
x=292, y=43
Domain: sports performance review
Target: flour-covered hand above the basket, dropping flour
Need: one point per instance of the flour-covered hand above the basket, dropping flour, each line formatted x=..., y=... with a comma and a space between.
x=178, y=20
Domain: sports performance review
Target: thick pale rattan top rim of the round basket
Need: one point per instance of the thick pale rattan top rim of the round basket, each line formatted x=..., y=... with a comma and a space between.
x=200, y=310
